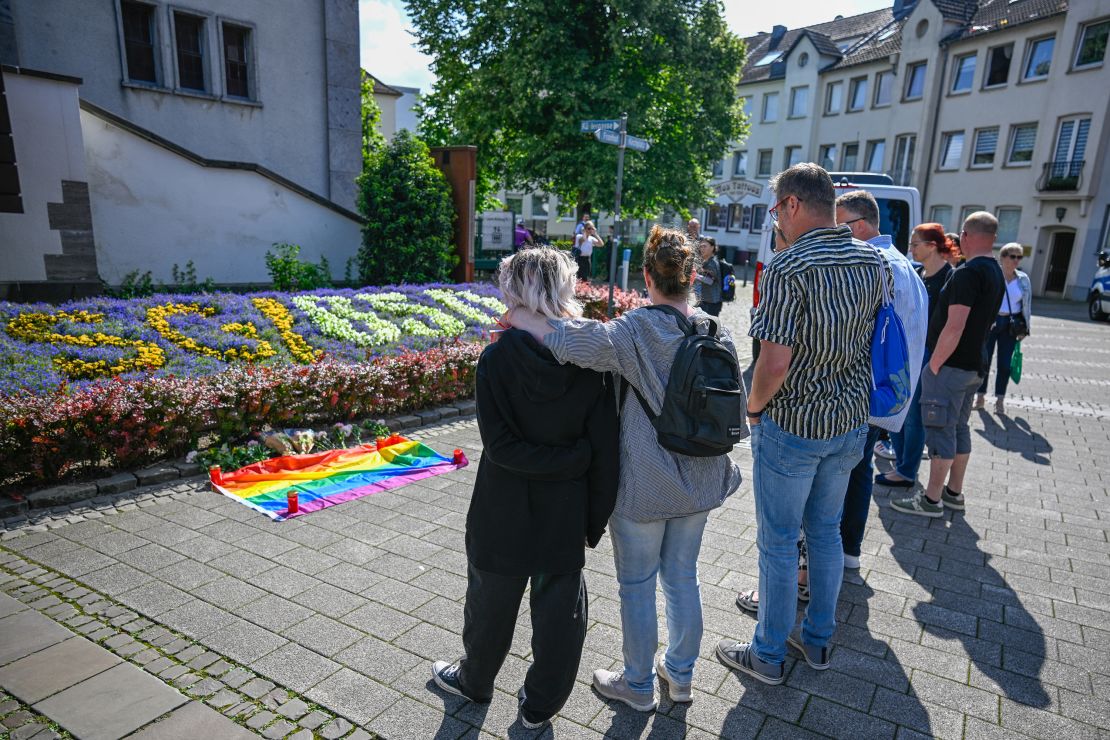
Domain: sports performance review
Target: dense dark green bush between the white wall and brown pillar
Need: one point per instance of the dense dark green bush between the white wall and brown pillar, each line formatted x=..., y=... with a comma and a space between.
x=407, y=204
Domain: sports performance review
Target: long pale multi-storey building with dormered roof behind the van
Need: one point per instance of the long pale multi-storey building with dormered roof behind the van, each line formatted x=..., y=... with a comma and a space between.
x=982, y=106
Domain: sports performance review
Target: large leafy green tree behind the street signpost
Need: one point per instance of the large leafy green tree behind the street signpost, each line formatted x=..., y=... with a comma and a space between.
x=516, y=79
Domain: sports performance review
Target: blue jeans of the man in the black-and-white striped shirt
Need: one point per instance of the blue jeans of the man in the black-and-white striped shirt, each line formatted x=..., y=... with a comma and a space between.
x=799, y=484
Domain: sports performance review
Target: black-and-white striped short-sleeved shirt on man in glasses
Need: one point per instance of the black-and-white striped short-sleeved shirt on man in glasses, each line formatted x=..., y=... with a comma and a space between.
x=820, y=298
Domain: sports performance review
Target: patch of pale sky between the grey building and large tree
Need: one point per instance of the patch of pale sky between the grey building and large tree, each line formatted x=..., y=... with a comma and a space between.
x=388, y=46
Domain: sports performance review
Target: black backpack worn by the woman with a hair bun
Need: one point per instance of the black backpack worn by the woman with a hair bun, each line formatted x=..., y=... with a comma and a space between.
x=704, y=403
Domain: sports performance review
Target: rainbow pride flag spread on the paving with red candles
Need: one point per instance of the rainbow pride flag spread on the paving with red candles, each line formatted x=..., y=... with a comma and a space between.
x=331, y=478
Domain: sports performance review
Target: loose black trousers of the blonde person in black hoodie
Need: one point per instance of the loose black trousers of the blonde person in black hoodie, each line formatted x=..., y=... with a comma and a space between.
x=560, y=613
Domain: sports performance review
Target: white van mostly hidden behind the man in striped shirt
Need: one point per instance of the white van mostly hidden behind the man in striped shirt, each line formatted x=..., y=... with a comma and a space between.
x=900, y=212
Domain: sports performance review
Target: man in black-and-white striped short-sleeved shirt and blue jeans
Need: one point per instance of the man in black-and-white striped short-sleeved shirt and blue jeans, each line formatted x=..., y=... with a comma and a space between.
x=809, y=410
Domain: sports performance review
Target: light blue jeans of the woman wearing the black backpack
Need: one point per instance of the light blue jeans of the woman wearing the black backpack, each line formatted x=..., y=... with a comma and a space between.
x=642, y=550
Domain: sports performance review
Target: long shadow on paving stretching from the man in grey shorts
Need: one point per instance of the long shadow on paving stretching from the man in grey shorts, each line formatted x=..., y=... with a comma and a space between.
x=963, y=614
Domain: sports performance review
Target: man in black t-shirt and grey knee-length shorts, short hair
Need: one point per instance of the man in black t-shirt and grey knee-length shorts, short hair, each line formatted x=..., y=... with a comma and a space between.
x=966, y=309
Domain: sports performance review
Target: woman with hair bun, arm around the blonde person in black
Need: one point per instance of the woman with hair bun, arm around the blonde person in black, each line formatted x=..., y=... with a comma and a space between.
x=663, y=499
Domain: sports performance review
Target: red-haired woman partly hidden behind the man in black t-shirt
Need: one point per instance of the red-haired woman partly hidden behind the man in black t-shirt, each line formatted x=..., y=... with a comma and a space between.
x=934, y=249
